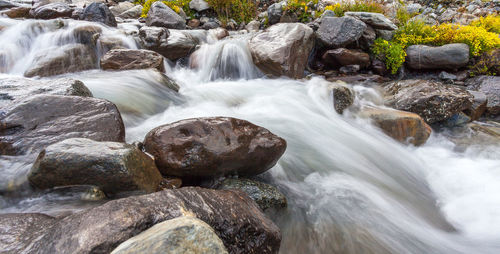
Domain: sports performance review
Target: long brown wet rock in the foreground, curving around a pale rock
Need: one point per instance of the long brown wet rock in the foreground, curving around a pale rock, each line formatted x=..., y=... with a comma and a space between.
x=235, y=218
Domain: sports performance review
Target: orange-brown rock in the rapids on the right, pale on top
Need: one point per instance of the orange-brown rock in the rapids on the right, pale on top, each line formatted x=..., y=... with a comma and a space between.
x=402, y=126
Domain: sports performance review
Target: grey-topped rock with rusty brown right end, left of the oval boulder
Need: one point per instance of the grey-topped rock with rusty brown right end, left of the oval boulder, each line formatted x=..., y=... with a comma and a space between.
x=114, y=167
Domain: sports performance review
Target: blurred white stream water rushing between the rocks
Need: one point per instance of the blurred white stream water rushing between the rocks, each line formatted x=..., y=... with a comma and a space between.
x=351, y=189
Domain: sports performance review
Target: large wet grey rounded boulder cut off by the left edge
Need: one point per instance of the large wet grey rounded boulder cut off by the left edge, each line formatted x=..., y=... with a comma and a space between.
x=33, y=123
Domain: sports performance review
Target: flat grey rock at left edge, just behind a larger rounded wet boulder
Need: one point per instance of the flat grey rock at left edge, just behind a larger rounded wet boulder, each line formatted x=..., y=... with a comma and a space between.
x=17, y=88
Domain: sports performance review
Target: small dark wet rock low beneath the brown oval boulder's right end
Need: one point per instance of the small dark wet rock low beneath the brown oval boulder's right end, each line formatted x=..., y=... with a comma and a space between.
x=265, y=195
